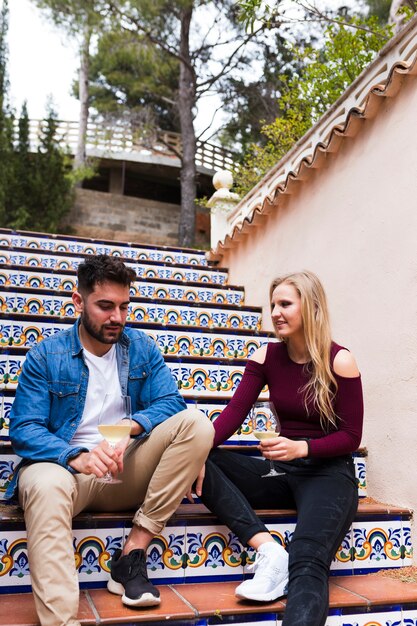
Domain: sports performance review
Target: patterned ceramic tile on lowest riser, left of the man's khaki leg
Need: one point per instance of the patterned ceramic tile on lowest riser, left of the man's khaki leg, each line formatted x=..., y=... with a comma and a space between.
x=14, y=564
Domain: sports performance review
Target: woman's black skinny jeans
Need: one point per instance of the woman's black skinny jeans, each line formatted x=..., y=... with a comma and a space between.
x=325, y=494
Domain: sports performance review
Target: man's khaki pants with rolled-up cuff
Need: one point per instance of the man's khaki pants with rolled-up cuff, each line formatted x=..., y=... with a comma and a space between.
x=158, y=471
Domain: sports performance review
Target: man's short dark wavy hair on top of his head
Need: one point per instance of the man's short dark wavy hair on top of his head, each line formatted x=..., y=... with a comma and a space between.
x=103, y=268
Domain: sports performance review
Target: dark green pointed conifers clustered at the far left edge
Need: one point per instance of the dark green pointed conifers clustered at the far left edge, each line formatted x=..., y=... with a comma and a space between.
x=35, y=187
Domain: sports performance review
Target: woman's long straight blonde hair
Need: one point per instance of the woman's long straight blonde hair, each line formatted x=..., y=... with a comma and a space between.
x=322, y=386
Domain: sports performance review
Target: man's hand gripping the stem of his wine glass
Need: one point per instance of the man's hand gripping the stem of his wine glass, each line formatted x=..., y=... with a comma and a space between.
x=102, y=459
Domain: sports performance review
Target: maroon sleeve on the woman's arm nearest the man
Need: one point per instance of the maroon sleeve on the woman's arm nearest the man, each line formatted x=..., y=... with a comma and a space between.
x=247, y=392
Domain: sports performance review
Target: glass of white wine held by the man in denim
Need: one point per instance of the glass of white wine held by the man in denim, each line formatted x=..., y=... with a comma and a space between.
x=115, y=423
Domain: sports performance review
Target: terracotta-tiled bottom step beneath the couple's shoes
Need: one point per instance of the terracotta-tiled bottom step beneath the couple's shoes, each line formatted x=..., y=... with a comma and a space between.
x=357, y=600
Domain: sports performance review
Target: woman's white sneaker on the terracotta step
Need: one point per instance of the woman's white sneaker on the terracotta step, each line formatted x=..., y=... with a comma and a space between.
x=271, y=575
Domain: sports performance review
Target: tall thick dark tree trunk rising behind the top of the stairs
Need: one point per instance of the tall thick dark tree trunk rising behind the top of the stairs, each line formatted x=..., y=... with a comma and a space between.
x=186, y=104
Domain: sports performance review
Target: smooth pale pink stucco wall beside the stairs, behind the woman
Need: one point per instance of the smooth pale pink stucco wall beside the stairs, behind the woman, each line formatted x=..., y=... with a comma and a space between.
x=355, y=224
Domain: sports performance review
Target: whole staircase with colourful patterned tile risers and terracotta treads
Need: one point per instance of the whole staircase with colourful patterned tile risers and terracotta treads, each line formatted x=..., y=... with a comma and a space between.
x=205, y=333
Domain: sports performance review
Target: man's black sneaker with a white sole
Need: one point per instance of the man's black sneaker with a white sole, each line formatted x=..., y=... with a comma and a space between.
x=129, y=579
